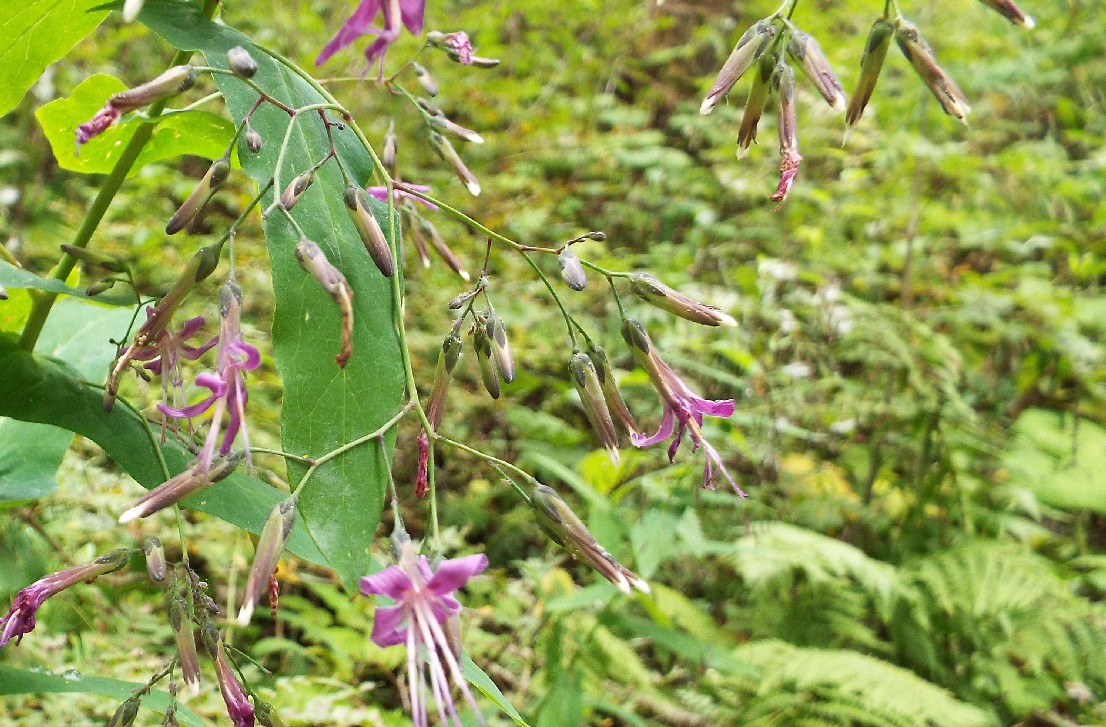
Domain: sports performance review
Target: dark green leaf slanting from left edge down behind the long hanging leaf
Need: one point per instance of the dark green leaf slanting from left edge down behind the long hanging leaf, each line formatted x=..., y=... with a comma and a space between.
x=41, y=390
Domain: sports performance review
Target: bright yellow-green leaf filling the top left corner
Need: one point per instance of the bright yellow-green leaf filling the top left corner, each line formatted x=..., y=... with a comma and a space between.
x=36, y=34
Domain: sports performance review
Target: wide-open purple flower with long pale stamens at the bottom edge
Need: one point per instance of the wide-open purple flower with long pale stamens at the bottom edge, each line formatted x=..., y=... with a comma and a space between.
x=425, y=611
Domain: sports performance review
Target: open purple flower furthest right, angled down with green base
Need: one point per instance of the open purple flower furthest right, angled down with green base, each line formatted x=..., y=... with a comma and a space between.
x=684, y=409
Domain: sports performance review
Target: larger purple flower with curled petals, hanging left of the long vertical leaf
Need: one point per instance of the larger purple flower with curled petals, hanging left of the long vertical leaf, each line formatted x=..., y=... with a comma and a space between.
x=227, y=385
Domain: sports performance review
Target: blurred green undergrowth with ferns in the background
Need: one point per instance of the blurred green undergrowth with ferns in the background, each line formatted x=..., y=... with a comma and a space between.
x=920, y=375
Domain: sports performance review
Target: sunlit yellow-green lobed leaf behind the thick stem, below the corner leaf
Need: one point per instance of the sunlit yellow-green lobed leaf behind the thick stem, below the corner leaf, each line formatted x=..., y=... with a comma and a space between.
x=195, y=132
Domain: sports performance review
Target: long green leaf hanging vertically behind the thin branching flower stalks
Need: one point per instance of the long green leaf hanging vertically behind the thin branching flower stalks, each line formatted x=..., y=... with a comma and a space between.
x=325, y=407
